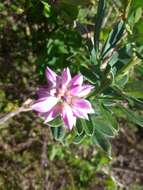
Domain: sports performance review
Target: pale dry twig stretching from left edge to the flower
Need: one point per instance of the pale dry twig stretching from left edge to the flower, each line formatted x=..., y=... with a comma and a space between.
x=24, y=108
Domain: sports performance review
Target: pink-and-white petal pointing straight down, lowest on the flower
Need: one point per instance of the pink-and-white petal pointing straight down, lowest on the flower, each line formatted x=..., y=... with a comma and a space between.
x=68, y=117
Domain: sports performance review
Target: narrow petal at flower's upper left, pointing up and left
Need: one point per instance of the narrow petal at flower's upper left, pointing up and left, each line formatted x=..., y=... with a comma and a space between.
x=51, y=76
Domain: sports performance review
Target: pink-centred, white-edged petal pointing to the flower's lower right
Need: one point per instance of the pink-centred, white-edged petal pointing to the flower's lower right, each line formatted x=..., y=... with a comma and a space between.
x=82, y=105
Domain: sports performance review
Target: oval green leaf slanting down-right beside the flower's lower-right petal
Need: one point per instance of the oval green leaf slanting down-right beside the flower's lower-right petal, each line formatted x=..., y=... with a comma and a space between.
x=109, y=117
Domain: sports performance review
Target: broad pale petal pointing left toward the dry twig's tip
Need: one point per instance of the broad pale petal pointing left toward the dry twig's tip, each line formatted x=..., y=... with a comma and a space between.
x=44, y=104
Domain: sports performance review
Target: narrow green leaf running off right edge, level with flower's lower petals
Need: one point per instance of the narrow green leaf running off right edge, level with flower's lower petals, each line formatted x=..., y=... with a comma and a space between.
x=132, y=116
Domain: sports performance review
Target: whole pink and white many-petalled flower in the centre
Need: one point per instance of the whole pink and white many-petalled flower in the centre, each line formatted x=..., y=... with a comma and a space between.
x=64, y=96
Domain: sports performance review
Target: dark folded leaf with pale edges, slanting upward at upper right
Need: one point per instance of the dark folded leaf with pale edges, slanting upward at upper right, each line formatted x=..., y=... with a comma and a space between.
x=114, y=36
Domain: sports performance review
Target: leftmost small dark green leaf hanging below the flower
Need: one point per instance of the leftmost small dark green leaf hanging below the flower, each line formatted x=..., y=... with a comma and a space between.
x=58, y=132
